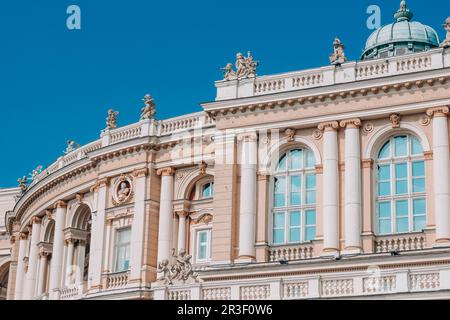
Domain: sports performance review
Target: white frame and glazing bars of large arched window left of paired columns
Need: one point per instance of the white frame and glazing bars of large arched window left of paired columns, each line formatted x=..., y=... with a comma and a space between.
x=287, y=210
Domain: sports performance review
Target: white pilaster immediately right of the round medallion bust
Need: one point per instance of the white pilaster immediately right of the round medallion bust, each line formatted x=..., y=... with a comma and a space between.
x=138, y=227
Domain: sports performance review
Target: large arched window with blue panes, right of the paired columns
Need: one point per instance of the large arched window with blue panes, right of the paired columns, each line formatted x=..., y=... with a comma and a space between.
x=401, y=204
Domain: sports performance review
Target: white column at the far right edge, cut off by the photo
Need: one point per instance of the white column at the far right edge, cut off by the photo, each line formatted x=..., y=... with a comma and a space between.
x=441, y=174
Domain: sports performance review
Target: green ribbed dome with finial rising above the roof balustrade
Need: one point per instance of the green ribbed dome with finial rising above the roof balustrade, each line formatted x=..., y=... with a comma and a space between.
x=400, y=37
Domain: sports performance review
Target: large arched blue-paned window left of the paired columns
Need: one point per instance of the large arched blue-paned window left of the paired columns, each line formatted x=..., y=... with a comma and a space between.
x=294, y=198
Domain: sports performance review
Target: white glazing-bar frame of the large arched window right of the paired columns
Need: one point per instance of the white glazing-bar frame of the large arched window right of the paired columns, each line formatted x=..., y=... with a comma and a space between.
x=393, y=198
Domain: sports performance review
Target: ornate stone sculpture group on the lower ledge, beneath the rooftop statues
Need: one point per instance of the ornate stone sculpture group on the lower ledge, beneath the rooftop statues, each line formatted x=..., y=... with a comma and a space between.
x=181, y=271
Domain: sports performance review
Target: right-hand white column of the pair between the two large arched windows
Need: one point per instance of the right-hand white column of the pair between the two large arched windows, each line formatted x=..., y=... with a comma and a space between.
x=352, y=218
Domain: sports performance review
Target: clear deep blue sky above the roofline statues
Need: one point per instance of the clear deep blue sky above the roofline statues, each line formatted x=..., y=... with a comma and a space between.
x=57, y=84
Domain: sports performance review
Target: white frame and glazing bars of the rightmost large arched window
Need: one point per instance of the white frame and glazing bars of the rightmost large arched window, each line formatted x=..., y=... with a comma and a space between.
x=410, y=196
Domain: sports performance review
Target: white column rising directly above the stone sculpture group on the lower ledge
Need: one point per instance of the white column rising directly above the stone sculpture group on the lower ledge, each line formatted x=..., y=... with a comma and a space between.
x=165, y=213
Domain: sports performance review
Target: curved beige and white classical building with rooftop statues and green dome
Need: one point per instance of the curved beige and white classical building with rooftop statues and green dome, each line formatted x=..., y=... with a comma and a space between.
x=325, y=183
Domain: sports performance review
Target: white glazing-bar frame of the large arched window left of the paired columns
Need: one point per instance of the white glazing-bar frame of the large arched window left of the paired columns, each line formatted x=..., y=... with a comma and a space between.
x=287, y=173
